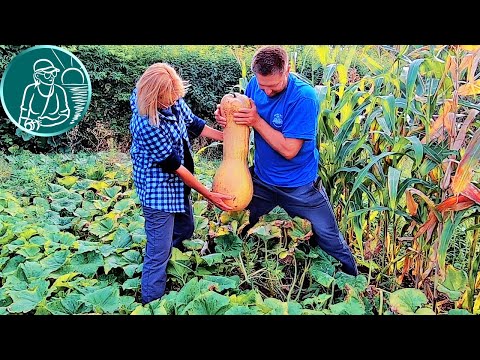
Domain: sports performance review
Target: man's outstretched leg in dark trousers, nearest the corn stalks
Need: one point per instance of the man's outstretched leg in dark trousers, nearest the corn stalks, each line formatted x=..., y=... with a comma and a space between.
x=312, y=204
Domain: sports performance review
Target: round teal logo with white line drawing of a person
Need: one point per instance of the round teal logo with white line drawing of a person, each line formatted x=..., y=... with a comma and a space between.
x=45, y=90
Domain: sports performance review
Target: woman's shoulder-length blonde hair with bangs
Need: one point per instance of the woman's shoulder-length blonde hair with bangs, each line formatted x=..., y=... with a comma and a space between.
x=158, y=88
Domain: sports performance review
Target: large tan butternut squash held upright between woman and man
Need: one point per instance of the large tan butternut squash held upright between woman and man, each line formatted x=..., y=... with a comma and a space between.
x=233, y=176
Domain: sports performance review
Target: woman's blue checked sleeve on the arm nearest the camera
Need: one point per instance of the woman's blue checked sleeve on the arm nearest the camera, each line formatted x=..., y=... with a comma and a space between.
x=158, y=142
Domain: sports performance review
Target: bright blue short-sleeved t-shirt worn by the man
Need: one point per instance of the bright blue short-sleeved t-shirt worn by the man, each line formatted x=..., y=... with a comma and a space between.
x=294, y=112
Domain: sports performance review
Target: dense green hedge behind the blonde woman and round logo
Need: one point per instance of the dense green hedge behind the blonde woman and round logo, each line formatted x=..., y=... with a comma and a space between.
x=212, y=71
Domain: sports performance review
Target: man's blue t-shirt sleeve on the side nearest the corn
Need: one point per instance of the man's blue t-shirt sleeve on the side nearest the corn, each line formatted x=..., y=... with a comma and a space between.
x=301, y=120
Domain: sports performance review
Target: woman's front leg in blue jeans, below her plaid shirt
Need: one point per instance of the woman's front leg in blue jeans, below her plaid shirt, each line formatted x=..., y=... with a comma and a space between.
x=159, y=230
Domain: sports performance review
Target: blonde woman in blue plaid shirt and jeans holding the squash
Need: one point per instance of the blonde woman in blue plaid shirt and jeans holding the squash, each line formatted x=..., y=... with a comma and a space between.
x=161, y=126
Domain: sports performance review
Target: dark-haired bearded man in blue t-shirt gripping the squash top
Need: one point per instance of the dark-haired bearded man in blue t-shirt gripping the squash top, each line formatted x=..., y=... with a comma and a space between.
x=284, y=118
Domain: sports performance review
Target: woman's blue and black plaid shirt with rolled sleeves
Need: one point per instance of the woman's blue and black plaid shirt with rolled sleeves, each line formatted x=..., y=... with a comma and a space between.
x=150, y=145
